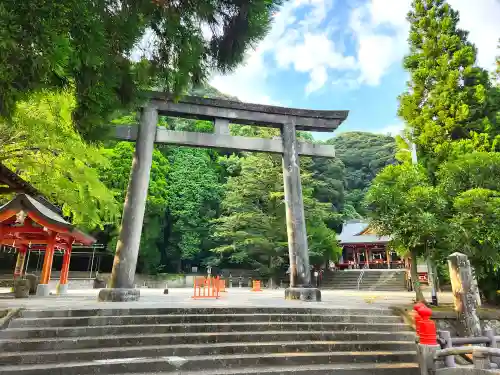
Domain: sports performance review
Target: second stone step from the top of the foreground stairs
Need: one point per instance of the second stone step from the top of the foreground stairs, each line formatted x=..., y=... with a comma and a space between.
x=189, y=318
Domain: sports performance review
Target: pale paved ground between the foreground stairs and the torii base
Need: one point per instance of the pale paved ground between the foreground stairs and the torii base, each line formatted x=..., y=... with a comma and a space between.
x=235, y=297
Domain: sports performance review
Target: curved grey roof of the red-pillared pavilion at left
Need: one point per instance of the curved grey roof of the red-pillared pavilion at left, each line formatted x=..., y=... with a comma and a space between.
x=44, y=216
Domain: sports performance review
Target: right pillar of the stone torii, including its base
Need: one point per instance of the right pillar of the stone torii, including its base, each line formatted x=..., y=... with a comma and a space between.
x=300, y=273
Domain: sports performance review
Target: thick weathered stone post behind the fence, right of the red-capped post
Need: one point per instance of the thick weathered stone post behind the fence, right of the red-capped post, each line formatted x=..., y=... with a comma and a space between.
x=464, y=293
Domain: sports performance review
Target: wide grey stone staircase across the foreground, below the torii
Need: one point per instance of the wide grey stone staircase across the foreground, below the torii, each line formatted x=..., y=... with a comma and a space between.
x=207, y=341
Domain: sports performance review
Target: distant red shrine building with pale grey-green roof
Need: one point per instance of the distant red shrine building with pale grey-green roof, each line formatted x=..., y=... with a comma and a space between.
x=364, y=248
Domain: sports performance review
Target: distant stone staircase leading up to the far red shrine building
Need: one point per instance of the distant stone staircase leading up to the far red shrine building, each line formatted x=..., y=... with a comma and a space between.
x=372, y=280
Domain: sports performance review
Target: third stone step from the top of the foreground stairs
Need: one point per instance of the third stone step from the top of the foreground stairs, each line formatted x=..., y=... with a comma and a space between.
x=52, y=332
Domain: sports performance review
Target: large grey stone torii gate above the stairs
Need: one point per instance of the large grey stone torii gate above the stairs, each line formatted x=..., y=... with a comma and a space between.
x=221, y=112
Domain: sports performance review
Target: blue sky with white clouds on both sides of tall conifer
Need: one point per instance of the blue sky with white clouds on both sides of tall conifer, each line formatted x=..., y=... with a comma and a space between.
x=346, y=54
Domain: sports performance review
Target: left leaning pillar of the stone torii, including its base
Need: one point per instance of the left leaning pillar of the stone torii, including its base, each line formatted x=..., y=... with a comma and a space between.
x=121, y=284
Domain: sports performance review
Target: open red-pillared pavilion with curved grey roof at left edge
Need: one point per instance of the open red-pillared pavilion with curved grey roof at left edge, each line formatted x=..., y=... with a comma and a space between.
x=28, y=225
